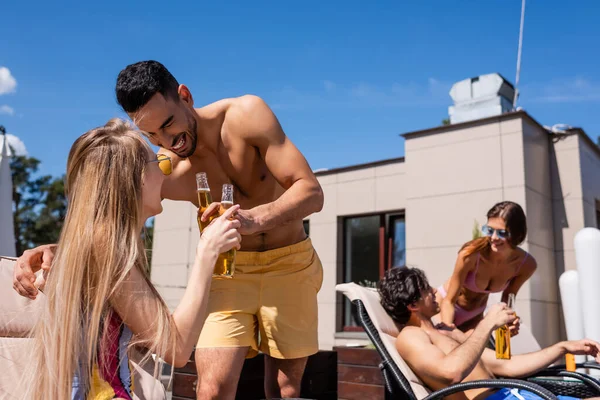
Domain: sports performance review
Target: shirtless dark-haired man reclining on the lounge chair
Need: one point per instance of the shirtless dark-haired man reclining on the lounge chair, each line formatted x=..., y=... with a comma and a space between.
x=442, y=357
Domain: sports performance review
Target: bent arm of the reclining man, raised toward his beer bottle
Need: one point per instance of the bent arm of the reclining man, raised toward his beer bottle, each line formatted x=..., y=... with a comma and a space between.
x=431, y=364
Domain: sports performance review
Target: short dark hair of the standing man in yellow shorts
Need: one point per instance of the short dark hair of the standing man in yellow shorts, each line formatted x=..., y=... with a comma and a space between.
x=138, y=82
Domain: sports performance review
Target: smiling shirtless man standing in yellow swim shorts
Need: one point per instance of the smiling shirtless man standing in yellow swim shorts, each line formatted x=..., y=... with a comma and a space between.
x=278, y=273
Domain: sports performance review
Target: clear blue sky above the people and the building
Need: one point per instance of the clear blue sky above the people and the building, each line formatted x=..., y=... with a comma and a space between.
x=344, y=78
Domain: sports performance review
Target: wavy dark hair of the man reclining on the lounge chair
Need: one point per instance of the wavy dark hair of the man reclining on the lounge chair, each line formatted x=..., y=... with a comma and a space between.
x=399, y=288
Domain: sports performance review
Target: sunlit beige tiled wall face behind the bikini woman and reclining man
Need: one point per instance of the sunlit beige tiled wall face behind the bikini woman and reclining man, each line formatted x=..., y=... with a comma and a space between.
x=453, y=178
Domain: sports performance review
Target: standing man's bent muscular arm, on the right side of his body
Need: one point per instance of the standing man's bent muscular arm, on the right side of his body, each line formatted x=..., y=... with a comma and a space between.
x=260, y=128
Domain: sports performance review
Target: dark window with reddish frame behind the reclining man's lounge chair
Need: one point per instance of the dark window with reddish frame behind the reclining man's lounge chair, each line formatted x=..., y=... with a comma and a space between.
x=372, y=244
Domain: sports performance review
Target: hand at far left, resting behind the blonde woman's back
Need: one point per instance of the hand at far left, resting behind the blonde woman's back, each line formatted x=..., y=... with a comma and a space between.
x=25, y=281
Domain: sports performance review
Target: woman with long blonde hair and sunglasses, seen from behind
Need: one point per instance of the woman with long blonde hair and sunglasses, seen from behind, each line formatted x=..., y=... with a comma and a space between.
x=99, y=299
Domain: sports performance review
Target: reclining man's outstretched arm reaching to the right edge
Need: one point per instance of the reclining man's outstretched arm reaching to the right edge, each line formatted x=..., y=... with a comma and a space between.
x=523, y=365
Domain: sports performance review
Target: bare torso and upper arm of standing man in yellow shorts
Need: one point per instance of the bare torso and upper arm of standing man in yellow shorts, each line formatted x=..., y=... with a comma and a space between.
x=230, y=151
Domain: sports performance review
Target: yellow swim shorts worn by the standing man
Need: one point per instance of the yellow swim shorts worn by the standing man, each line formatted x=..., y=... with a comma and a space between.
x=273, y=293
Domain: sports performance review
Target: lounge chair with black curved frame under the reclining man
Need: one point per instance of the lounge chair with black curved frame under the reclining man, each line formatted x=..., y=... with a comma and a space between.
x=402, y=383
